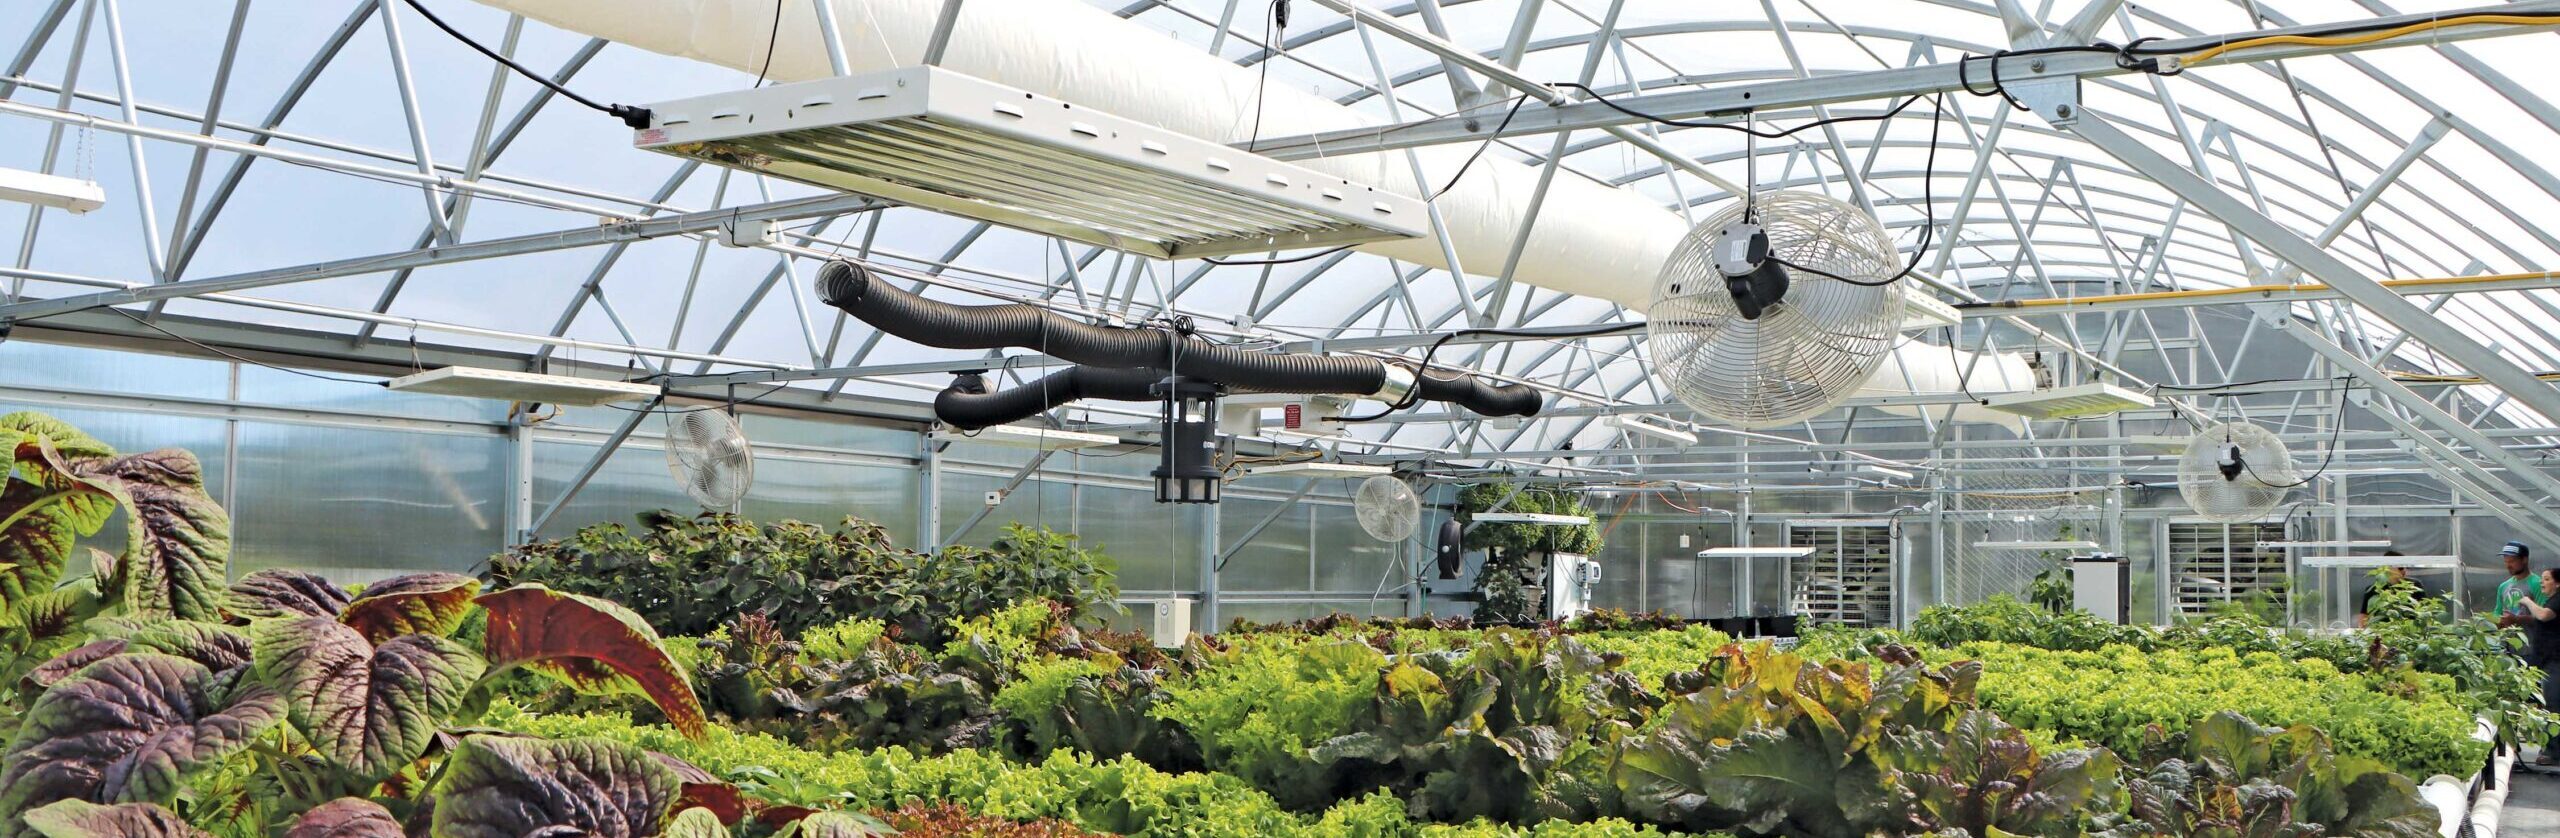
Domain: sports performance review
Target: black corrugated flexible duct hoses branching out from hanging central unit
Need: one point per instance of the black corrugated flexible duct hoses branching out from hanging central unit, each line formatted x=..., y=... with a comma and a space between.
x=1120, y=357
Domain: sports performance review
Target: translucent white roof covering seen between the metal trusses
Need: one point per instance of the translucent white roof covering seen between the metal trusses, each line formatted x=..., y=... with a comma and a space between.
x=2042, y=217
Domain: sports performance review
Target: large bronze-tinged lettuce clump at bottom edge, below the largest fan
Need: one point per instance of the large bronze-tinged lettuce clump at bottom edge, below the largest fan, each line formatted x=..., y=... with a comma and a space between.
x=1770, y=742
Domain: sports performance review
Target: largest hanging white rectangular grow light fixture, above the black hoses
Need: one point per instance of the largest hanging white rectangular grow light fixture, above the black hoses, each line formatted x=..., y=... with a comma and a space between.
x=948, y=142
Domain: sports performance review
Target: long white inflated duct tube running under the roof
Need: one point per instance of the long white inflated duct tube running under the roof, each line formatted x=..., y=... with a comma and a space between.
x=1588, y=240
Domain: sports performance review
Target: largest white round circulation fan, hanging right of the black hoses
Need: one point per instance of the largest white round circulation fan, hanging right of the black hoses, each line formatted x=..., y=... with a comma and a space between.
x=1775, y=311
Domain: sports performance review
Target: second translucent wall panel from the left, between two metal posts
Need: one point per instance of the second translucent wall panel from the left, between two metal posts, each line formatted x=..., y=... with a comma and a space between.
x=357, y=504
